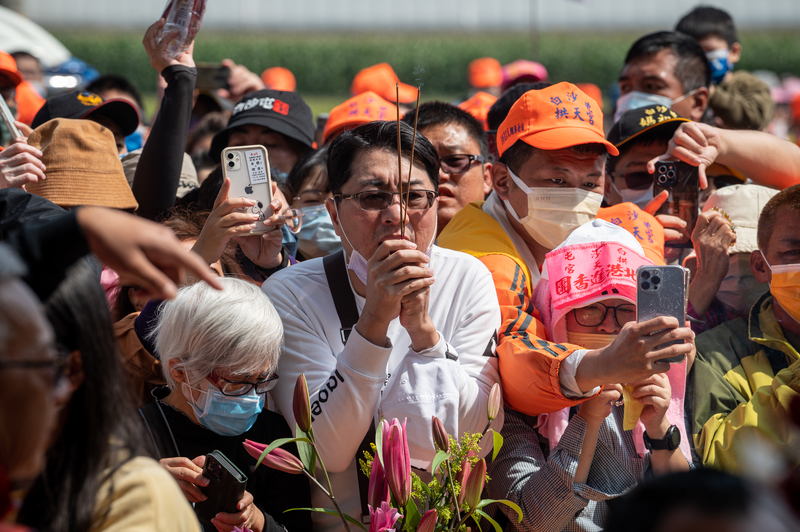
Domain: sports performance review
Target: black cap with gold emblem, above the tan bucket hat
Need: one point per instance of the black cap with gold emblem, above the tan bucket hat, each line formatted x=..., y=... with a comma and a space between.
x=82, y=104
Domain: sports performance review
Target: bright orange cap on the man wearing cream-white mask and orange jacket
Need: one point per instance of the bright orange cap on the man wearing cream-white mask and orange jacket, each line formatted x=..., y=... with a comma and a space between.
x=553, y=118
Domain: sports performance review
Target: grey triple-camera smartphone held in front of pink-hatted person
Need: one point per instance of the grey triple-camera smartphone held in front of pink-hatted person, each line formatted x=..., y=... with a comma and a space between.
x=662, y=291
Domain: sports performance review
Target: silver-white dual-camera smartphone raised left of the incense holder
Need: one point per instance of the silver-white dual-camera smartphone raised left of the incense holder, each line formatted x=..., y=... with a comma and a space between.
x=248, y=169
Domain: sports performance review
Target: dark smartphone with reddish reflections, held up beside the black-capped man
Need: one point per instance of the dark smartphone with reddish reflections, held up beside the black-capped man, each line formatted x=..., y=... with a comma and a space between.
x=681, y=180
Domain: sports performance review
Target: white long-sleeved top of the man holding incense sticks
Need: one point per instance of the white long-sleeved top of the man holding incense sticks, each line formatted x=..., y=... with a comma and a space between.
x=354, y=384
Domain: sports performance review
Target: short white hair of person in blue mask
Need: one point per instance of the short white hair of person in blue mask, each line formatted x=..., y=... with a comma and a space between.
x=236, y=330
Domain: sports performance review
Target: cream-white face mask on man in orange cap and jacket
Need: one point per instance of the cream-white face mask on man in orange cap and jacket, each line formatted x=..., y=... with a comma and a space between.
x=553, y=213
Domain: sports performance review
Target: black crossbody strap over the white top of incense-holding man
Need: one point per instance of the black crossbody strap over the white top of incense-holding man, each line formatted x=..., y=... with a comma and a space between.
x=346, y=308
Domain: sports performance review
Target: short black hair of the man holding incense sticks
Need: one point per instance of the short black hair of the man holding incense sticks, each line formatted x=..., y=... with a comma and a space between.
x=378, y=136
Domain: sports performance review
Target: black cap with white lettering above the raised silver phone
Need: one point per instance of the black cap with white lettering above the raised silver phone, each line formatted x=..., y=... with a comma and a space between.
x=283, y=112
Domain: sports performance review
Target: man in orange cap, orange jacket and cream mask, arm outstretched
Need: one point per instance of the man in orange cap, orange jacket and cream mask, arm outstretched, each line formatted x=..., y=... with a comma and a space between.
x=549, y=181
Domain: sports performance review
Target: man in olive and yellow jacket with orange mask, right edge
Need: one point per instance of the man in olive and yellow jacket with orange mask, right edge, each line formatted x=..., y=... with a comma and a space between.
x=747, y=371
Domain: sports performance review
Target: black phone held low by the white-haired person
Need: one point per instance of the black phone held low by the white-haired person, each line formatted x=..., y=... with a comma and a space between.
x=224, y=491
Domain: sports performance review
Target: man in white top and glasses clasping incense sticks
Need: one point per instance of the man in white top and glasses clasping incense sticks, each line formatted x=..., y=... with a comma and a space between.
x=392, y=326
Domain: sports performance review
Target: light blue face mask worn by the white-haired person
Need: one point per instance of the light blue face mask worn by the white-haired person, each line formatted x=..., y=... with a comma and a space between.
x=223, y=414
